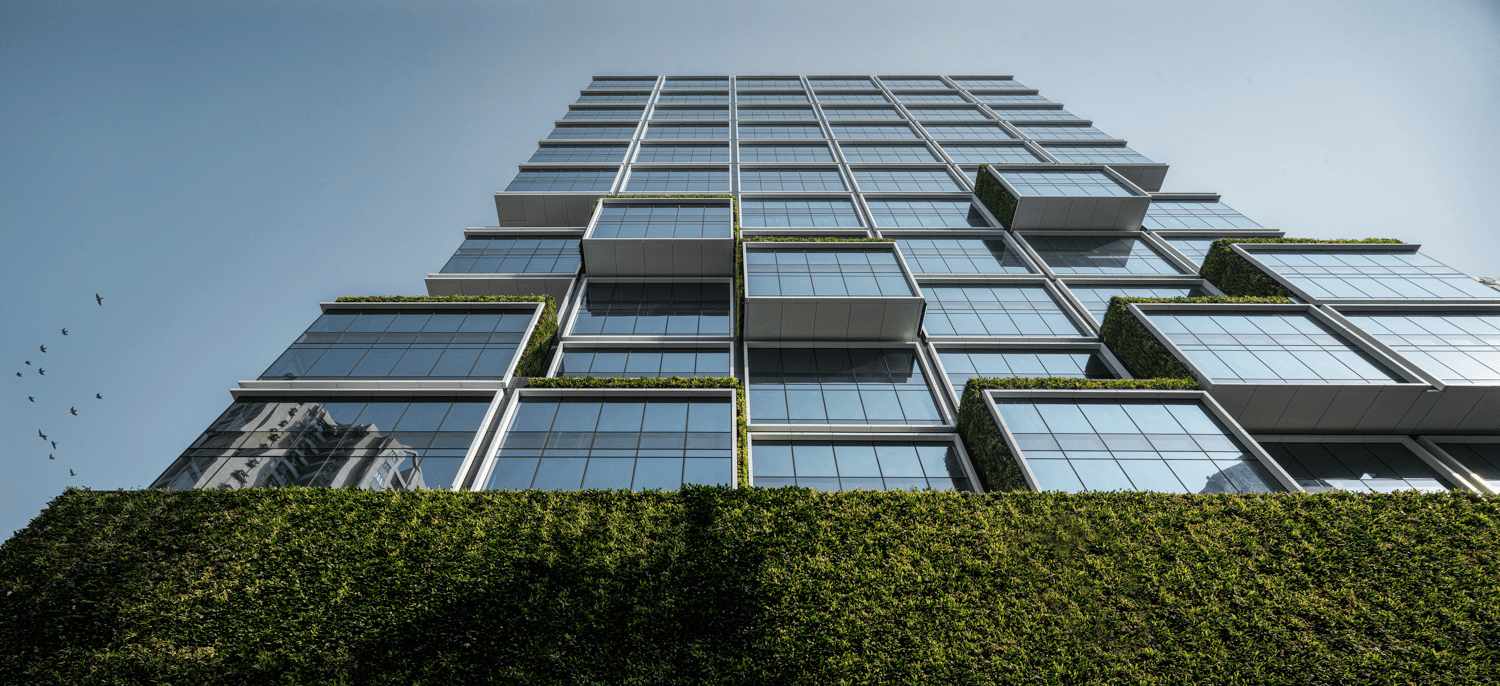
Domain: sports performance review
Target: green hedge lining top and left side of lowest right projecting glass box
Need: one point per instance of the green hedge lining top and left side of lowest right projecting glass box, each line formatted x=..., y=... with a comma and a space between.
x=982, y=436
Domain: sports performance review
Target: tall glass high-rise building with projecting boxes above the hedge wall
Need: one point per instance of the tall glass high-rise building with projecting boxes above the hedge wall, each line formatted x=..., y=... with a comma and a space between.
x=929, y=229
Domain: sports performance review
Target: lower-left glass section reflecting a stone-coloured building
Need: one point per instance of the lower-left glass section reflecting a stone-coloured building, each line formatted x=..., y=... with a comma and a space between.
x=377, y=445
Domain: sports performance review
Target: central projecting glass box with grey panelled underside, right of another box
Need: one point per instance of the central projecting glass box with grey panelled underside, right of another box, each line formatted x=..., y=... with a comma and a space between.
x=830, y=292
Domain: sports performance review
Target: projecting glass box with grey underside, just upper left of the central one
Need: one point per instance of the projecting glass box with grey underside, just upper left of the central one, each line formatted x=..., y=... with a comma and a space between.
x=661, y=238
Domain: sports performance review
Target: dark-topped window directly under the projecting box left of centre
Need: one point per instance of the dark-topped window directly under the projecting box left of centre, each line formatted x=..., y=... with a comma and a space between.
x=655, y=310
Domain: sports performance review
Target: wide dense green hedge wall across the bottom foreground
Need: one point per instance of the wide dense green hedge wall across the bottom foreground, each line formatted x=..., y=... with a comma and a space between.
x=751, y=588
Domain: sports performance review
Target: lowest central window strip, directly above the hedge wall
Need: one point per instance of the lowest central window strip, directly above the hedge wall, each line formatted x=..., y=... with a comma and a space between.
x=854, y=466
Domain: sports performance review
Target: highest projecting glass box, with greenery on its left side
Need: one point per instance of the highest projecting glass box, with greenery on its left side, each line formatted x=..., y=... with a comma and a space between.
x=1090, y=197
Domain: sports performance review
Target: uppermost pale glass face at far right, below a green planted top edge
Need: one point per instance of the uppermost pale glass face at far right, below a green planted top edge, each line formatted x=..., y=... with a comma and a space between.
x=1373, y=275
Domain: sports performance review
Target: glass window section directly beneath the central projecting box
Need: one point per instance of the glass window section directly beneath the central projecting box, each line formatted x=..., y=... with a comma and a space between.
x=836, y=387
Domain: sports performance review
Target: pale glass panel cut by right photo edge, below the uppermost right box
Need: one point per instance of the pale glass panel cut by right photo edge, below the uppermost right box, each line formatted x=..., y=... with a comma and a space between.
x=1457, y=348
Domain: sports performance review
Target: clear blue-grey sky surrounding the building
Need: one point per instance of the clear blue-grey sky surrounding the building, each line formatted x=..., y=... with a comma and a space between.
x=215, y=170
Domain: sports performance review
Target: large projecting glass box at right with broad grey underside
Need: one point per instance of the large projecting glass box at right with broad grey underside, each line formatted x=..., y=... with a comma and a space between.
x=1291, y=369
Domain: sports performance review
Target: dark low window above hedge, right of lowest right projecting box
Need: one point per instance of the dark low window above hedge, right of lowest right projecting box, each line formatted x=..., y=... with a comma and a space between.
x=1361, y=468
